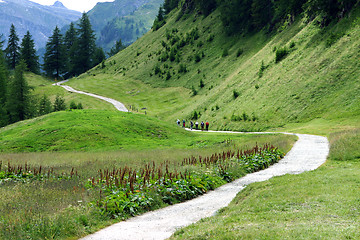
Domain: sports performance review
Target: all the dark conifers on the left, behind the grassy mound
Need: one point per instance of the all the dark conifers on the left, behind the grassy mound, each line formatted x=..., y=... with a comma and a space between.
x=17, y=101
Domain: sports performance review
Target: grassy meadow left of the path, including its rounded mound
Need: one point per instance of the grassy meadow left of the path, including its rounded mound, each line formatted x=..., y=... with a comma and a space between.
x=64, y=208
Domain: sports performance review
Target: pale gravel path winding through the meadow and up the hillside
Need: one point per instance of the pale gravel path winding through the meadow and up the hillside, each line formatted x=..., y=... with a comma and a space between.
x=307, y=154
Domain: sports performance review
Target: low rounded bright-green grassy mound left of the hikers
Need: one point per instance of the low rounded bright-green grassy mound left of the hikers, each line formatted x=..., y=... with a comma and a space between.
x=81, y=130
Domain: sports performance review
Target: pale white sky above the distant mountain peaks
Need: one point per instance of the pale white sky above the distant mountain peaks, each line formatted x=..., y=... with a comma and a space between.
x=78, y=5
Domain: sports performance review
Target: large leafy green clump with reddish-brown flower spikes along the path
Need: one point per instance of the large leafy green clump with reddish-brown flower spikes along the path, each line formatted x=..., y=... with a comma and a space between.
x=127, y=192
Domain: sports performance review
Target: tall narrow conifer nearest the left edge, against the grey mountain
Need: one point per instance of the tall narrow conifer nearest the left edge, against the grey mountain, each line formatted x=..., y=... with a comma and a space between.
x=12, y=50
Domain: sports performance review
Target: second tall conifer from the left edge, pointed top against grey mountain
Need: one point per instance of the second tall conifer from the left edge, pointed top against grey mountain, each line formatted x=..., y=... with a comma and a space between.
x=28, y=53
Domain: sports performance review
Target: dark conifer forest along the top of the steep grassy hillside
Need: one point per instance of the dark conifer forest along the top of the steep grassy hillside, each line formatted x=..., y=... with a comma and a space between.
x=248, y=15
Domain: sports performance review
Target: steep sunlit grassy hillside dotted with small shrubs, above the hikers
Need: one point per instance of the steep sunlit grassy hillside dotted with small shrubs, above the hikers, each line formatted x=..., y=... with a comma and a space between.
x=235, y=82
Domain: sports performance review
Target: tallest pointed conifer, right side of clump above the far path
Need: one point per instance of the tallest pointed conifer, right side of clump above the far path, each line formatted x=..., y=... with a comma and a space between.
x=86, y=46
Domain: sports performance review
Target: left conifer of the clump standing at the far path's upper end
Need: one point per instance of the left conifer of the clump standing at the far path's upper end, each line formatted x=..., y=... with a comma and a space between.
x=55, y=56
